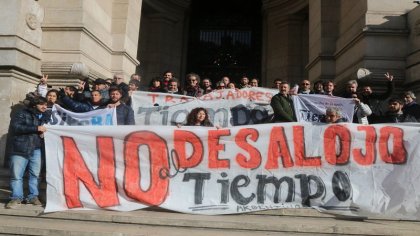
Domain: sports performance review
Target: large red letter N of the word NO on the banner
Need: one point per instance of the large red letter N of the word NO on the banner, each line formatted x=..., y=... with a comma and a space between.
x=75, y=170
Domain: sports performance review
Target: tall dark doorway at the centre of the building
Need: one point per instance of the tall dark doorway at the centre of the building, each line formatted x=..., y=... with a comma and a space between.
x=225, y=39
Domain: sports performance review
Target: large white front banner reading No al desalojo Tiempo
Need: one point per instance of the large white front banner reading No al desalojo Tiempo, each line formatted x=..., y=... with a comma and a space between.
x=349, y=169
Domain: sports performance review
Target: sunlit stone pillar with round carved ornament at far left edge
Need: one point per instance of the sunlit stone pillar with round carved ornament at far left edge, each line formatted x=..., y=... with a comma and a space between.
x=20, y=60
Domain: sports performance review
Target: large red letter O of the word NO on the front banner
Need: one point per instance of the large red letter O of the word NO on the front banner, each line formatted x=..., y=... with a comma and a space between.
x=158, y=156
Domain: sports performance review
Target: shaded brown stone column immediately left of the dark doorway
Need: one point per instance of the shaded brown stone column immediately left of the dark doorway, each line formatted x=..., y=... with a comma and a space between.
x=162, y=37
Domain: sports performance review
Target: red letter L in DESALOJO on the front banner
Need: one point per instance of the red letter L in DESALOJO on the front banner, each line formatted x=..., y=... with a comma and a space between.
x=299, y=143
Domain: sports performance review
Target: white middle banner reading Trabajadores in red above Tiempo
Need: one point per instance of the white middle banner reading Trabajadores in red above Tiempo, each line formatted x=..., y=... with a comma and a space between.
x=226, y=107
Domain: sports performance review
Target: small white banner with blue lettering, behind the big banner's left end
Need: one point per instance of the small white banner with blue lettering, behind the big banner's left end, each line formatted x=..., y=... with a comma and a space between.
x=61, y=116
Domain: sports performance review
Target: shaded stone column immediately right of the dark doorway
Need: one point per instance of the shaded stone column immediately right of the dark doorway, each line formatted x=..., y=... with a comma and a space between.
x=285, y=50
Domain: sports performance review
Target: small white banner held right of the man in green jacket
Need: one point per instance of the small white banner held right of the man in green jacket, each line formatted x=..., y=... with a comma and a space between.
x=311, y=107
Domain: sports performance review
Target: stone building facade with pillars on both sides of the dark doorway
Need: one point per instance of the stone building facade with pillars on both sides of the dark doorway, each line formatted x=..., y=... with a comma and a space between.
x=299, y=39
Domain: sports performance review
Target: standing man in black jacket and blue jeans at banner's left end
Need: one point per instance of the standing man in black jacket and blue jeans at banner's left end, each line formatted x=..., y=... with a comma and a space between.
x=27, y=128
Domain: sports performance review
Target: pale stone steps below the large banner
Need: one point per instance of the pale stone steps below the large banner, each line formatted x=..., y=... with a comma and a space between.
x=30, y=220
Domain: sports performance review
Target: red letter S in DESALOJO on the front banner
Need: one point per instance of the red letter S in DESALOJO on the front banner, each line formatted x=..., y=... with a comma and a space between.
x=254, y=160
